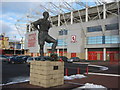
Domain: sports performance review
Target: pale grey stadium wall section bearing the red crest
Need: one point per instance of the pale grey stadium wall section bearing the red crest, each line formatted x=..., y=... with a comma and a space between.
x=75, y=30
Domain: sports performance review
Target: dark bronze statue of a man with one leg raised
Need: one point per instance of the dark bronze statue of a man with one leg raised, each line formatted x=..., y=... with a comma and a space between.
x=43, y=26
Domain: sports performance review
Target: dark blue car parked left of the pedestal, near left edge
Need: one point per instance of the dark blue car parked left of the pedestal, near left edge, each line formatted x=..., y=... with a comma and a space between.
x=16, y=59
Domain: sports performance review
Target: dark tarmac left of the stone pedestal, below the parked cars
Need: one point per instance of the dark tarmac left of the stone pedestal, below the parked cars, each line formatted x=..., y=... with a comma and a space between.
x=10, y=71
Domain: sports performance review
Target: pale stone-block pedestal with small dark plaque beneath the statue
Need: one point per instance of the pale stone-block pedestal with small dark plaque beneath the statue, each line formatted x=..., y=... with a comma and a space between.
x=47, y=73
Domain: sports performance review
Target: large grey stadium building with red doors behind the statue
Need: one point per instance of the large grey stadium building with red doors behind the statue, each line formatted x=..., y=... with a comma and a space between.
x=91, y=33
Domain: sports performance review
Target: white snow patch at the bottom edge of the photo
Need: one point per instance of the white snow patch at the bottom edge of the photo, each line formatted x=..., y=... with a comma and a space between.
x=91, y=86
